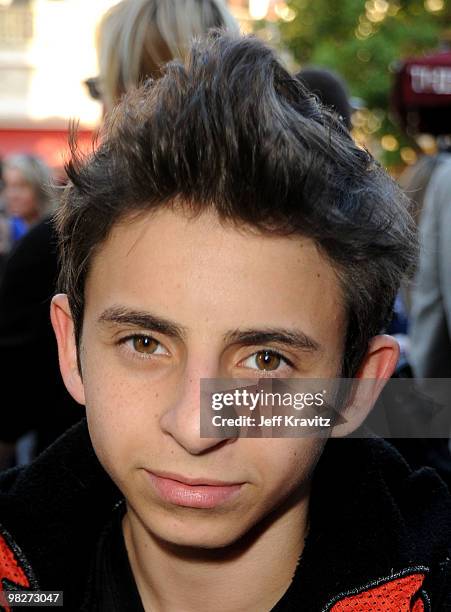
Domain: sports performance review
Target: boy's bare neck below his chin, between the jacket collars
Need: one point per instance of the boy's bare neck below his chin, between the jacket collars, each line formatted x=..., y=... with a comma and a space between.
x=249, y=576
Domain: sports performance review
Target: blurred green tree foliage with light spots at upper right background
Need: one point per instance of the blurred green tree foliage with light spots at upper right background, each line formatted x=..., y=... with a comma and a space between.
x=363, y=41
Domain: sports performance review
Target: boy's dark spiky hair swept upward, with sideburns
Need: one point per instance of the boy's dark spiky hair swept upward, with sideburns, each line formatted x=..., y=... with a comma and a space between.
x=231, y=130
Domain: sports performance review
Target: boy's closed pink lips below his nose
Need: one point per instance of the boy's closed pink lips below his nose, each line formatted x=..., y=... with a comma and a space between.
x=192, y=493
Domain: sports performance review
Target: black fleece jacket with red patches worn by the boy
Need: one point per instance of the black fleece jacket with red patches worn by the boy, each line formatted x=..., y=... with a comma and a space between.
x=379, y=534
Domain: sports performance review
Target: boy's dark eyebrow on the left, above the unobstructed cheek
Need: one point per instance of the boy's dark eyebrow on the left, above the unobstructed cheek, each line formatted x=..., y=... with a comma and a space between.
x=120, y=315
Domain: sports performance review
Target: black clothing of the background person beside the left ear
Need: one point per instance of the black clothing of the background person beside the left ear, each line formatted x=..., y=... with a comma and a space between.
x=33, y=394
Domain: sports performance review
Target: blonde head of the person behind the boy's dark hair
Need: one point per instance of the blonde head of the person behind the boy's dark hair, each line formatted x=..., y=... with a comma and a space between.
x=137, y=37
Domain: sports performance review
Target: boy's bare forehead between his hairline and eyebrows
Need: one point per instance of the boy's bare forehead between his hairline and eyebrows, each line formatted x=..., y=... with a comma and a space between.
x=194, y=269
